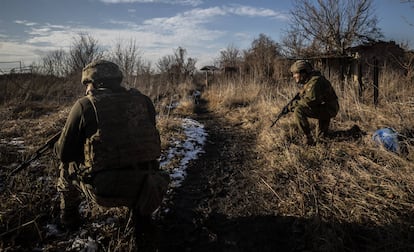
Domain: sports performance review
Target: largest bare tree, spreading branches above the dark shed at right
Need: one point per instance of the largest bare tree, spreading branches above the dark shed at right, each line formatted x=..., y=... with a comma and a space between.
x=335, y=24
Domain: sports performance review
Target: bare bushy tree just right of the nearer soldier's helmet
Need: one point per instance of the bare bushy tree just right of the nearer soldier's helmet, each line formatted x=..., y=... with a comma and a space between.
x=128, y=58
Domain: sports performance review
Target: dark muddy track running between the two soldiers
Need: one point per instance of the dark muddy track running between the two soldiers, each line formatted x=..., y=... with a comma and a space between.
x=219, y=207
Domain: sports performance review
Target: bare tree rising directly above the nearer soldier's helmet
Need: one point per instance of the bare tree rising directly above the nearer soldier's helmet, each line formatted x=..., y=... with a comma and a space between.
x=84, y=49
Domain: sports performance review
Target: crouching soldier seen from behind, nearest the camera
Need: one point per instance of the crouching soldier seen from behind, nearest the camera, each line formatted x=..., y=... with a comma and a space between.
x=109, y=150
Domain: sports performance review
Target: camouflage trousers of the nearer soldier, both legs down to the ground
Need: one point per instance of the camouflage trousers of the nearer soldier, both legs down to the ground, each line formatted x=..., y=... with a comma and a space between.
x=70, y=186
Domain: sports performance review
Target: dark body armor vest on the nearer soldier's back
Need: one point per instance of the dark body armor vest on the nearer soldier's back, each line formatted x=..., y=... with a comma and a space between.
x=125, y=135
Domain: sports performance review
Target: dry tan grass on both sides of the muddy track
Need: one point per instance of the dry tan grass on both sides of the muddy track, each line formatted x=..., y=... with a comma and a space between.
x=342, y=183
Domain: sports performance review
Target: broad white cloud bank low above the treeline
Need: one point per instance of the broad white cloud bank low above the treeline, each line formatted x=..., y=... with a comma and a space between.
x=197, y=30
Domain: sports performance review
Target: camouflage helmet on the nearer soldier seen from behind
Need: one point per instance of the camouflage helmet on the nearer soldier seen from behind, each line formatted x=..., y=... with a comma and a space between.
x=101, y=71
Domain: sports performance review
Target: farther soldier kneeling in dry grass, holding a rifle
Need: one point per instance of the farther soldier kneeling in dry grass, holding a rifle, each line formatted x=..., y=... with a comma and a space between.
x=317, y=100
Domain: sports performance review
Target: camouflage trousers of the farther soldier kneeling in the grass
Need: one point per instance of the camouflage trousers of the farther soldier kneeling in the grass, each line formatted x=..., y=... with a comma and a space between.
x=322, y=113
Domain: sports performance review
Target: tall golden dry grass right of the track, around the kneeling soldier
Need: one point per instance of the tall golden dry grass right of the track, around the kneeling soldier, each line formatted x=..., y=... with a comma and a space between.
x=345, y=182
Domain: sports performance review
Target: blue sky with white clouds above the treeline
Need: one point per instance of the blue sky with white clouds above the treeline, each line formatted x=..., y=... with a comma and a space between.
x=29, y=29
